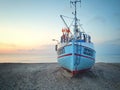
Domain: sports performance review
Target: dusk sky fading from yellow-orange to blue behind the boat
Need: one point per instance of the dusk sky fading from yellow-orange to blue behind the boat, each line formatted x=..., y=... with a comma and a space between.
x=30, y=25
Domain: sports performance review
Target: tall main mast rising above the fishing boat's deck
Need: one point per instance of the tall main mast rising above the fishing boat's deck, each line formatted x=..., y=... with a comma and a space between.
x=74, y=3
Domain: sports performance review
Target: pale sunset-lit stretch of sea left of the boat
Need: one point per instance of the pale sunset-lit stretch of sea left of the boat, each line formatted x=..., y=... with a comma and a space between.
x=27, y=58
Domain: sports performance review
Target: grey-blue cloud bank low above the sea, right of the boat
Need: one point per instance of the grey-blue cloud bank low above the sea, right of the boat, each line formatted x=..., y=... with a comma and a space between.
x=111, y=47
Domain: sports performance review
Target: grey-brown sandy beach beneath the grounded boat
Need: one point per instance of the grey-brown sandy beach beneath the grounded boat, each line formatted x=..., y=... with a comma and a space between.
x=48, y=76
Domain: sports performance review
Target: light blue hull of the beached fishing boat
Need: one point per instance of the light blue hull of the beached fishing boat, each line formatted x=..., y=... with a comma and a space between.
x=74, y=58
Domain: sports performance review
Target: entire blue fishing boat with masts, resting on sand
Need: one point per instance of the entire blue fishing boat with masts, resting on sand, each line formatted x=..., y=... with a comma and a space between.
x=75, y=51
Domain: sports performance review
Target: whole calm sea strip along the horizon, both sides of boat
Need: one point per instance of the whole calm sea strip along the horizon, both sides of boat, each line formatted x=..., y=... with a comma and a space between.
x=37, y=58
